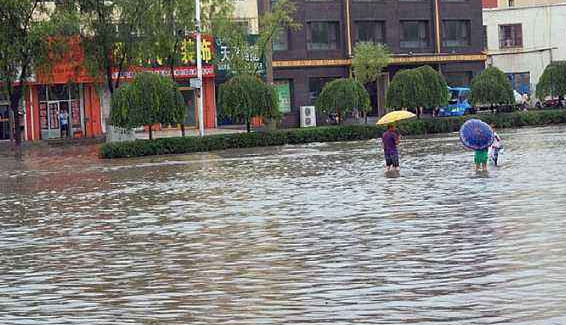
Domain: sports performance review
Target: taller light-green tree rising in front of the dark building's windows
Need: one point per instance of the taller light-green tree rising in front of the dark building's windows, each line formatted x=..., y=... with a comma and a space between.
x=369, y=60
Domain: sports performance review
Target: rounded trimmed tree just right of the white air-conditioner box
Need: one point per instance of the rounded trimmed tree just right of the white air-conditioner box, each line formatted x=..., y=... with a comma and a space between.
x=342, y=96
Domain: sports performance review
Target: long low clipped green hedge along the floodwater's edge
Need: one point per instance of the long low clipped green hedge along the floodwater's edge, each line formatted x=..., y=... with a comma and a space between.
x=165, y=146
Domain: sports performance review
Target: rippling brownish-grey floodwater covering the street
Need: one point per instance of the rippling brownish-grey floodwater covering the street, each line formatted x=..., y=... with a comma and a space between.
x=309, y=234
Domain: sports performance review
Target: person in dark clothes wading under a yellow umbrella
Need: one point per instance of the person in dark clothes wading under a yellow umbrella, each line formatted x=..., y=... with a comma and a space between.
x=391, y=138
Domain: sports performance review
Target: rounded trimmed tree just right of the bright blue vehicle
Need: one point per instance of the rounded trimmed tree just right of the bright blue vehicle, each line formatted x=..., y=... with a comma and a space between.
x=491, y=87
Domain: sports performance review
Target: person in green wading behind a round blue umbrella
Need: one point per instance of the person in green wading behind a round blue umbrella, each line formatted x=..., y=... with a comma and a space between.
x=478, y=136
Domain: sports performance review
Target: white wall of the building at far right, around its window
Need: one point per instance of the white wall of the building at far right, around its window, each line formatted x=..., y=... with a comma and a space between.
x=544, y=38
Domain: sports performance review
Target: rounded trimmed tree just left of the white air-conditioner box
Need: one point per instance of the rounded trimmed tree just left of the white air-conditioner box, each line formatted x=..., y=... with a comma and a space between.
x=244, y=97
